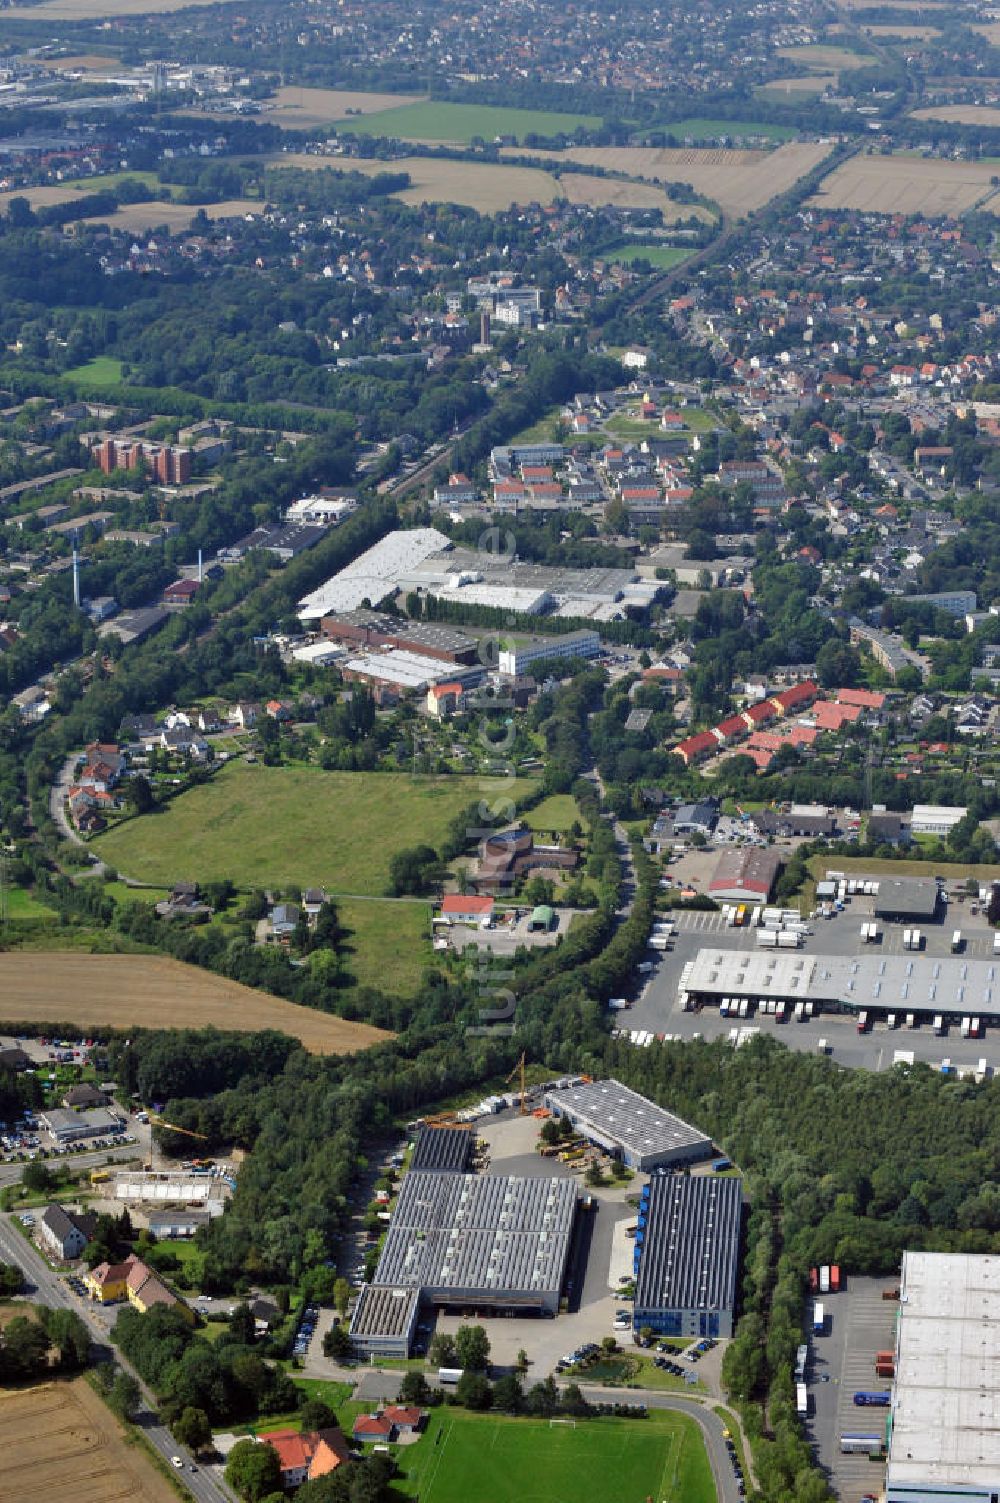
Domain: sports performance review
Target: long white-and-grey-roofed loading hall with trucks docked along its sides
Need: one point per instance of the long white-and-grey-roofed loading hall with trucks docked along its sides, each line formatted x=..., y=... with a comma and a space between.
x=951, y=988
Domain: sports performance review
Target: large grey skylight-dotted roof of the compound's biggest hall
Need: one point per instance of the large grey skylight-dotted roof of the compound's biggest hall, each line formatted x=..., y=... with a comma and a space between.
x=465, y=1232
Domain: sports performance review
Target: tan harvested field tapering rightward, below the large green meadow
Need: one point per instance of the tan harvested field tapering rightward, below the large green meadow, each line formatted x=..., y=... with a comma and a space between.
x=139, y=991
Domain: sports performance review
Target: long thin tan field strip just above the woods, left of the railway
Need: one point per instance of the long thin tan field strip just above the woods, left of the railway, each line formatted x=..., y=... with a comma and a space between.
x=492, y=187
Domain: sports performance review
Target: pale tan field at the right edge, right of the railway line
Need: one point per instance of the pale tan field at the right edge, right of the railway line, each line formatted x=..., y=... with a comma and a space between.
x=906, y=186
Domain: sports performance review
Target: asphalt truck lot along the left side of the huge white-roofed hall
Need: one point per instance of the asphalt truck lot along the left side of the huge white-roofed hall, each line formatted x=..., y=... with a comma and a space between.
x=841, y=1362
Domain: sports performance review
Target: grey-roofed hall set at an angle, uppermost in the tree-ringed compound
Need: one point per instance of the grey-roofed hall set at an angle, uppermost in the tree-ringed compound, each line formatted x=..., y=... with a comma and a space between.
x=626, y=1125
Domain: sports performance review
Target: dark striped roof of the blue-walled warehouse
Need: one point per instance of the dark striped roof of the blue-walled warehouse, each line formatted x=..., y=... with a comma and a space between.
x=692, y=1244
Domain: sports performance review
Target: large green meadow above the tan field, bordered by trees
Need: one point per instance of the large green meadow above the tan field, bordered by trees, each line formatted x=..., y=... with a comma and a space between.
x=277, y=827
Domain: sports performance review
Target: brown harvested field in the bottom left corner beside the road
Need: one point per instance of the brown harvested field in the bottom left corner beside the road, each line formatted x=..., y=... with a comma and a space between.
x=59, y=1441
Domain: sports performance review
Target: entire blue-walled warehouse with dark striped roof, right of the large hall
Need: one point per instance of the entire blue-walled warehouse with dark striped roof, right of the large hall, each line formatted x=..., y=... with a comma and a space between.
x=686, y=1256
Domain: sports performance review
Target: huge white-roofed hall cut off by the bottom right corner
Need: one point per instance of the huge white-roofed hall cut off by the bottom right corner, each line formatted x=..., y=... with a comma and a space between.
x=945, y=1418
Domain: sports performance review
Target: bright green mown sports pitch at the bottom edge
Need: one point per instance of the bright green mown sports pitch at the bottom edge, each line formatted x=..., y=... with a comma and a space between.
x=532, y=1462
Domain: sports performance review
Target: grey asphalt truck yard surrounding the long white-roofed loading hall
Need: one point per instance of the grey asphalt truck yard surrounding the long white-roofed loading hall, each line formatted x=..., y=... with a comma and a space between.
x=656, y=1006
